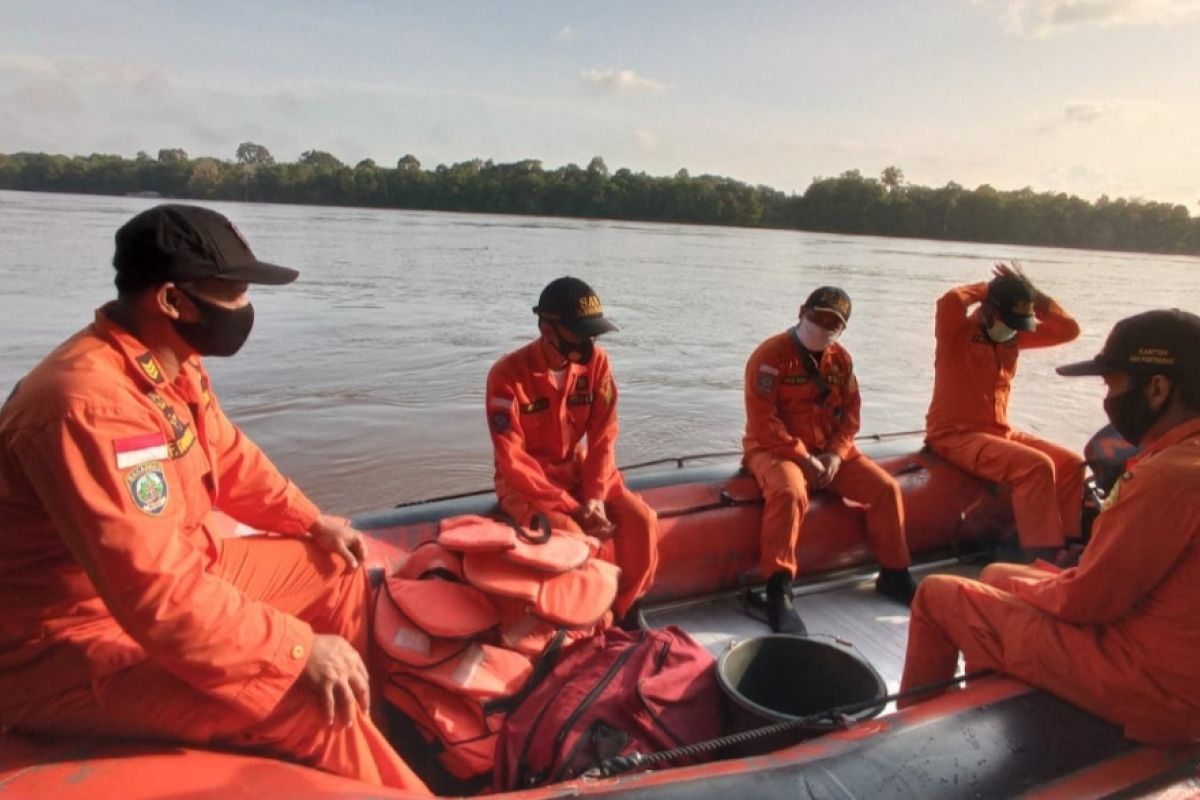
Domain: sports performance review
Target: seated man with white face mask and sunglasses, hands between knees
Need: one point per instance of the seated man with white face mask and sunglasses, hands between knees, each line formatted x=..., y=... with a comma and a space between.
x=802, y=418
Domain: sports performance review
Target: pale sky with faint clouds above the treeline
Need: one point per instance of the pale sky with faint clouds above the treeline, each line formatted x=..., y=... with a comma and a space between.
x=1082, y=97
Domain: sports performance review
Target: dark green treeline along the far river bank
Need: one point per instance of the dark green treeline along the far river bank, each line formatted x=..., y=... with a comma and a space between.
x=850, y=203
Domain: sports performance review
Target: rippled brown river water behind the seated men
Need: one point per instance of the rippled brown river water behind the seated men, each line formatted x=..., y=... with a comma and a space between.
x=364, y=381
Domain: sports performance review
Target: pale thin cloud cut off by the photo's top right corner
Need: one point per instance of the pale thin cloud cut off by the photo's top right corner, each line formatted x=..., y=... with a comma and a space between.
x=1045, y=19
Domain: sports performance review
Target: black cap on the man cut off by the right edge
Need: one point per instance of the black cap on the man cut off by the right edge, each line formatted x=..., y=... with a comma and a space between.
x=1163, y=342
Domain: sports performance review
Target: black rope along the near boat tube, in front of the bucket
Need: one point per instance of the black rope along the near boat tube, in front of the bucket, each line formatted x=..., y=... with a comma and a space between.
x=839, y=714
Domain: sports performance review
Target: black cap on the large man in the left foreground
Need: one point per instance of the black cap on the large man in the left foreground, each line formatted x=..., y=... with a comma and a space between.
x=188, y=243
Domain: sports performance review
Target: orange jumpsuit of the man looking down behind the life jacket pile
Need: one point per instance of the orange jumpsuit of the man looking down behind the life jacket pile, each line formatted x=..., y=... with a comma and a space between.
x=542, y=465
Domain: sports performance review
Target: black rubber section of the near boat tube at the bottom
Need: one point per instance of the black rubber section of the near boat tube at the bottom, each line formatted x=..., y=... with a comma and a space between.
x=993, y=751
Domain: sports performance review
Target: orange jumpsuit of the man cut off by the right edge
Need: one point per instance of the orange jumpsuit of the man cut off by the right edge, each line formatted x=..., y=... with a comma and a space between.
x=1119, y=635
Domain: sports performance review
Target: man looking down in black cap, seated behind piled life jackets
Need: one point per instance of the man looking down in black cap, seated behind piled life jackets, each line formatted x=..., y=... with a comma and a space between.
x=543, y=401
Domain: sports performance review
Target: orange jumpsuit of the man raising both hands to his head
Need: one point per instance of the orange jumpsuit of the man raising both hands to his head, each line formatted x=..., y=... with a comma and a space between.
x=968, y=420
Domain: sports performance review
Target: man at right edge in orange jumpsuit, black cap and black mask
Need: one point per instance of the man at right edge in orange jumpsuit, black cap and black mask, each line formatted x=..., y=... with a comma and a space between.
x=1119, y=634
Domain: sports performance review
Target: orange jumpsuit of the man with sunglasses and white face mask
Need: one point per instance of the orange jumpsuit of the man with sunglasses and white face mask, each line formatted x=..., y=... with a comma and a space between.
x=796, y=408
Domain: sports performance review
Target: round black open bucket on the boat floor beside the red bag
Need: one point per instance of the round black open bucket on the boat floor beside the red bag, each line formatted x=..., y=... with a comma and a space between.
x=782, y=678
